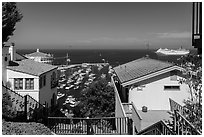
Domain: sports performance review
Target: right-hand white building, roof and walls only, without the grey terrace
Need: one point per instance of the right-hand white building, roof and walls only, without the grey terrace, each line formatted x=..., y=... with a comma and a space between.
x=149, y=82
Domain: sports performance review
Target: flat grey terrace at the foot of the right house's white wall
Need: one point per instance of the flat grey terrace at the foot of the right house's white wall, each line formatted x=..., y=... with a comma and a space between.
x=152, y=116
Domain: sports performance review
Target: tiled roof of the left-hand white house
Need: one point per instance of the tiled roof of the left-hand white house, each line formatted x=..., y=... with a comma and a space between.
x=31, y=67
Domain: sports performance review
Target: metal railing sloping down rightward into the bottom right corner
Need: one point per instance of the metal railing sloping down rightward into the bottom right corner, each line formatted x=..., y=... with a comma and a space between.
x=182, y=126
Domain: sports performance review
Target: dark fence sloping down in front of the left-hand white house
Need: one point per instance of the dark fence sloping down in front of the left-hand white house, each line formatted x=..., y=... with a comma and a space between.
x=27, y=108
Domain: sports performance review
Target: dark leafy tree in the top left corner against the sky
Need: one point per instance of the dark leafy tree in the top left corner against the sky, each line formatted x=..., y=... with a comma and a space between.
x=10, y=16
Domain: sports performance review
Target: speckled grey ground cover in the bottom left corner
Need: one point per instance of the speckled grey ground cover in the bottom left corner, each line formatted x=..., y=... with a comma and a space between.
x=22, y=128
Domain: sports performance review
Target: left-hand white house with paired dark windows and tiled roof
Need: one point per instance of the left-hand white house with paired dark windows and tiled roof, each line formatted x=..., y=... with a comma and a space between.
x=36, y=79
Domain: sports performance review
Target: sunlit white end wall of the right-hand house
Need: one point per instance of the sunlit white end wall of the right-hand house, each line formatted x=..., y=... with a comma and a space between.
x=153, y=94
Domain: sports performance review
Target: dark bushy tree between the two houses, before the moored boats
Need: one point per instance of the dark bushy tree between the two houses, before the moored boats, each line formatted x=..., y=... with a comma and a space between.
x=96, y=101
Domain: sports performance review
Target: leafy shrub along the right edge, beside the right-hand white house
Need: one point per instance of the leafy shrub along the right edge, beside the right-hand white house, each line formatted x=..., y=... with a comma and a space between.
x=193, y=78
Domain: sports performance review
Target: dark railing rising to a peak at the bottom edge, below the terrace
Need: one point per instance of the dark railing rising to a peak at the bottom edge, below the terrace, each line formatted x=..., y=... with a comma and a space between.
x=159, y=128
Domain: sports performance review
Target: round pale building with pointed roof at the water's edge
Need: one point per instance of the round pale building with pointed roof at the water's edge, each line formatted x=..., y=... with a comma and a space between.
x=41, y=57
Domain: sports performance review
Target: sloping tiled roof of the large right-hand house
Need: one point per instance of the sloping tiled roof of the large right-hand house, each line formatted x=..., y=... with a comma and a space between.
x=138, y=68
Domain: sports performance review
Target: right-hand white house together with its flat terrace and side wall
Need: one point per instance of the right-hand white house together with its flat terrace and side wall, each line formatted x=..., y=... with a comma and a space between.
x=143, y=88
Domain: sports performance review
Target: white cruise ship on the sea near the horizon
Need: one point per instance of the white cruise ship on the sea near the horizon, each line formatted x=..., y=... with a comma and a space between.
x=178, y=52
